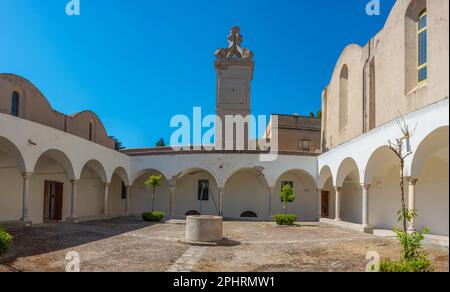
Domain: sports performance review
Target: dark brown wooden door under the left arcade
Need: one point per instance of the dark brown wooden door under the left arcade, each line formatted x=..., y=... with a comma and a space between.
x=53, y=201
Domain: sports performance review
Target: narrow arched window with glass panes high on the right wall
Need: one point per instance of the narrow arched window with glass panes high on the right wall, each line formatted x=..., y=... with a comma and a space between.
x=422, y=68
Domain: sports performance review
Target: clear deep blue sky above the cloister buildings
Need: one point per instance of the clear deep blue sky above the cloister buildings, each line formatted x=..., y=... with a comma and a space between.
x=137, y=63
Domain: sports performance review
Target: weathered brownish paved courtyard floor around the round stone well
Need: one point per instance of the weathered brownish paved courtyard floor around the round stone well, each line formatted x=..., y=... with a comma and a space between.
x=128, y=244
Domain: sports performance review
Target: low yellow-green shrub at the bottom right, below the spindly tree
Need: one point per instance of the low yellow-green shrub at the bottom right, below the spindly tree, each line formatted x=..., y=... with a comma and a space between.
x=418, y=265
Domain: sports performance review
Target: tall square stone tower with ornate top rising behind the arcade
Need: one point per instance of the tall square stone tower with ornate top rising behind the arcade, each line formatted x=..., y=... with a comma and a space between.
x=234, y=67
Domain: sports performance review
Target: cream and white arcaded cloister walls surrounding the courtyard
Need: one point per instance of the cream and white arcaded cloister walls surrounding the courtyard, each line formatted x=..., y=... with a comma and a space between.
x=55, y=167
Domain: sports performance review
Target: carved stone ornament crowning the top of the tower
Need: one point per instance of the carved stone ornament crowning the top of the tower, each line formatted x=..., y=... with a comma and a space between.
x=234, y=50
